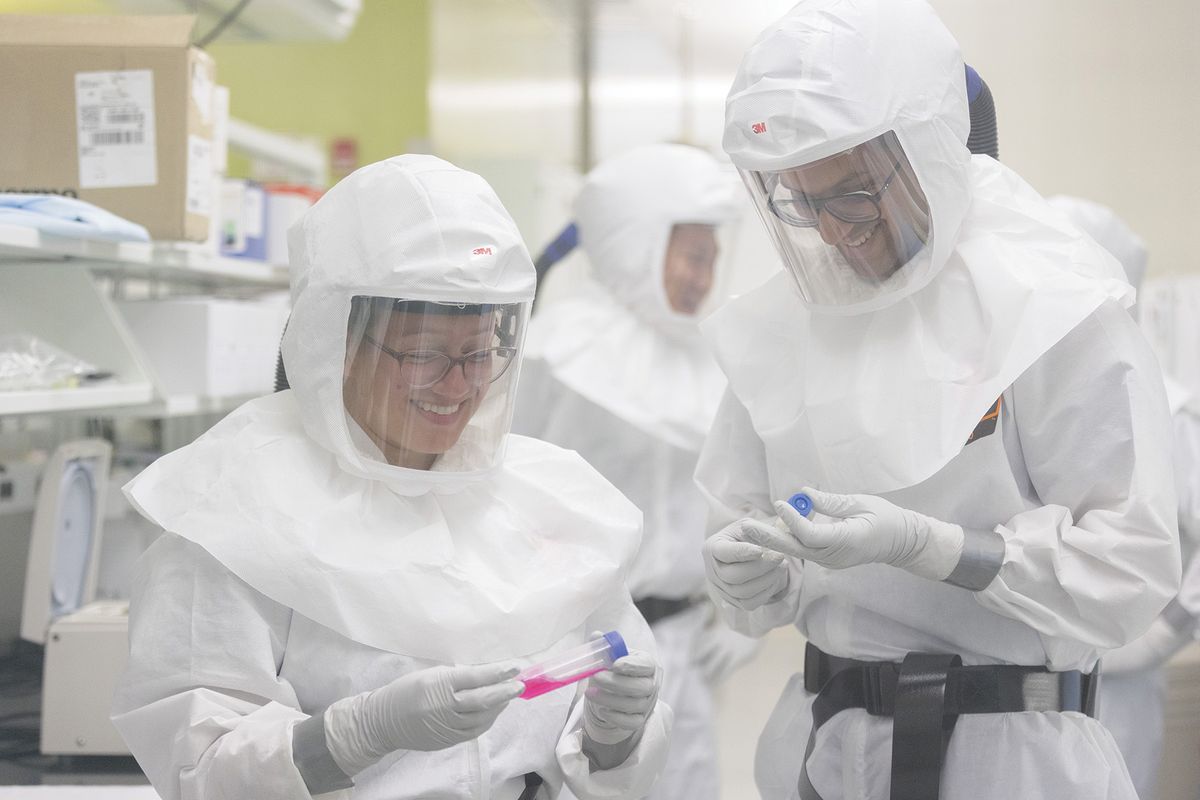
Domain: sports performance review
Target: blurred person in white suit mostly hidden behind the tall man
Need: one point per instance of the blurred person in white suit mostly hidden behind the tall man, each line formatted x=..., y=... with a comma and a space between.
x=1135, y=683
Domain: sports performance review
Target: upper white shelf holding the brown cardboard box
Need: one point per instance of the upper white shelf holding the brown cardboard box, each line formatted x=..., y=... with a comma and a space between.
x=166, y=261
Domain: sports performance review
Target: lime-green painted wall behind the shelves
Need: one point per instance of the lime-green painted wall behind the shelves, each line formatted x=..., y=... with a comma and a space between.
x=370, y=87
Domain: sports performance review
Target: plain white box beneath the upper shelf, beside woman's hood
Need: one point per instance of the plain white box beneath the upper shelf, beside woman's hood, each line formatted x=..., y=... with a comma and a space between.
x=207, y=347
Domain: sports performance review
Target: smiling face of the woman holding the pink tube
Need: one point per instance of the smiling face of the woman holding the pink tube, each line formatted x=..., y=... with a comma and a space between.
x=411, y=423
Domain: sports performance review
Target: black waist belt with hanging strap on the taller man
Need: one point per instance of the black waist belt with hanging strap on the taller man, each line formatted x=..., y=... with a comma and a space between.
x=925, y=696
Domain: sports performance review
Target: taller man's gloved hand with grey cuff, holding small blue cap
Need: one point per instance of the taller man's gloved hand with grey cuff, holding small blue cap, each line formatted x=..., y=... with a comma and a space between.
x=866, y=531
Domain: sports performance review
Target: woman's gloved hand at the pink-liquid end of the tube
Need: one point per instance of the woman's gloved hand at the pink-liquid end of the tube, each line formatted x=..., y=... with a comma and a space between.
x=429, y=709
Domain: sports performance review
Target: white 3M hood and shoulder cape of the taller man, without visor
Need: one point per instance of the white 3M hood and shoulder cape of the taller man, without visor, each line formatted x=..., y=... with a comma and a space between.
x=880, y=396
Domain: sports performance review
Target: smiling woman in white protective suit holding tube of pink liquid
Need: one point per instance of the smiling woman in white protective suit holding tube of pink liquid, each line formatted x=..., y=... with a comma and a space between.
x=355, y=570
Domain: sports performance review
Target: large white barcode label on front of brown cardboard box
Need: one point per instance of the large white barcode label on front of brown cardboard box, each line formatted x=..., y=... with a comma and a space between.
x=115, y=112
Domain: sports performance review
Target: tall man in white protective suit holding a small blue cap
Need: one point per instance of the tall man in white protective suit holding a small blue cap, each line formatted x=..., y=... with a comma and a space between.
x=980, y=428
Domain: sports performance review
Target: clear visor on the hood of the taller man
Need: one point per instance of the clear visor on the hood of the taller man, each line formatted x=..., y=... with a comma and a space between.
x=850, y=227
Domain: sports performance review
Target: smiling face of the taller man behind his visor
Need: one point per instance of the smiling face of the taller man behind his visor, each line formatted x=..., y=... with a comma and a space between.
x=875, y=249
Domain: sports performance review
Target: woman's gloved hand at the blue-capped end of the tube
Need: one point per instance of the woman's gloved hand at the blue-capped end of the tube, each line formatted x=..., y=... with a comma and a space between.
x=617, y=705
